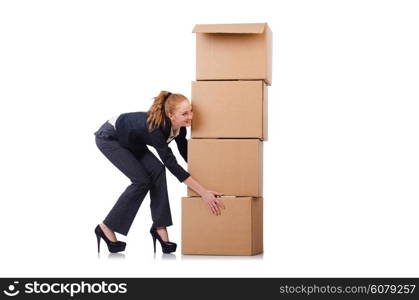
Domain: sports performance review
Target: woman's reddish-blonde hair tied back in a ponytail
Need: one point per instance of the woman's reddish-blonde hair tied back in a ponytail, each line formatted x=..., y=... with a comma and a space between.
x=164, y=104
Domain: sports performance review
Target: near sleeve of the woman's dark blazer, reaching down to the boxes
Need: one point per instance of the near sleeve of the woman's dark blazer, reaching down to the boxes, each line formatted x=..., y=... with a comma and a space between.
x=166, y=155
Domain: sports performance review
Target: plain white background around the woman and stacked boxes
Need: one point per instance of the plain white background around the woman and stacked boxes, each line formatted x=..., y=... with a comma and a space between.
x=341, y=166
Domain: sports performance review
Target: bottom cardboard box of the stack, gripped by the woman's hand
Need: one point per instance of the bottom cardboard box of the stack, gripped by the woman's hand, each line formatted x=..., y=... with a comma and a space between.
x=237, y=231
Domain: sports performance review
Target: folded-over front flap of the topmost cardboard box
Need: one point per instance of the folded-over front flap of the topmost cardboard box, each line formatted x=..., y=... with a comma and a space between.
x=257, y=28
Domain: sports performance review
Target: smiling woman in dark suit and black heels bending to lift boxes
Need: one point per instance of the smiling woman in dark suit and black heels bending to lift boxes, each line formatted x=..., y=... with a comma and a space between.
x=123, y=140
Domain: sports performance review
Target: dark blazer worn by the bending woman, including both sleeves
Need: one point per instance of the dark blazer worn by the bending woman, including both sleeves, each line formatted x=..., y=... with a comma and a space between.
x=133, y=134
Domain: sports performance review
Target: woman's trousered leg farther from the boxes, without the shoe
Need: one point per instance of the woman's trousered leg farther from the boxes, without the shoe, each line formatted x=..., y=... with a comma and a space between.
x=122, y=214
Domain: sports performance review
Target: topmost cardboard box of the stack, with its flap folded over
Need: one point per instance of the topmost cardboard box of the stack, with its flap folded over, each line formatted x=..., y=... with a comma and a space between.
x=233, y=51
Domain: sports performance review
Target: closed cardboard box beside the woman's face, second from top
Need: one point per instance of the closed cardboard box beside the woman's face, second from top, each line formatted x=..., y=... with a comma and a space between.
x=230, y=109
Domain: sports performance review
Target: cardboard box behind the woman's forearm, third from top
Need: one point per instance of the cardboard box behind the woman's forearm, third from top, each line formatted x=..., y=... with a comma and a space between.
x=232, y=167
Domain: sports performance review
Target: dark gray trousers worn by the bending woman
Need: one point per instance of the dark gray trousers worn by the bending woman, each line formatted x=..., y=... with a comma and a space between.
x=146, y=173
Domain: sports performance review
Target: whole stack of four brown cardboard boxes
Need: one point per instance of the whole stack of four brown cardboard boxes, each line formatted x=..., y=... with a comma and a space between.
x=225, y=154
